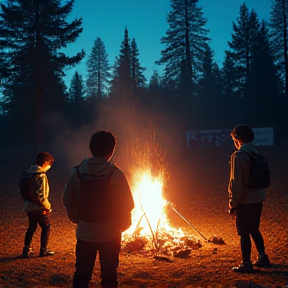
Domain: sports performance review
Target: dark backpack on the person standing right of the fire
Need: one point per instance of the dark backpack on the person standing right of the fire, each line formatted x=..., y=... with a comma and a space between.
x=259, y=171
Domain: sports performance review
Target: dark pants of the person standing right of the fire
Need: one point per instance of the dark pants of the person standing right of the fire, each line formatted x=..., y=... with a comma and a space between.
x=247, y=223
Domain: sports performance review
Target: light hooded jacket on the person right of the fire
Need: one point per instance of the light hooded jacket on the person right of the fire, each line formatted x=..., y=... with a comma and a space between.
x=238, y=189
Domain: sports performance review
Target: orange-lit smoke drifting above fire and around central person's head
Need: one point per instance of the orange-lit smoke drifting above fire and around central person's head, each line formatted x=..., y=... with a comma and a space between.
x=137, y=131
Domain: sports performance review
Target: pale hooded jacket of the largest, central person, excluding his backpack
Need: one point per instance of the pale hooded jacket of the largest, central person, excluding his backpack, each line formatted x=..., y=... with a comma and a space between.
x=120, y=196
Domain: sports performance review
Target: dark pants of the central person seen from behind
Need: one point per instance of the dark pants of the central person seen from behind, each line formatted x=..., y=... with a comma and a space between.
x=86, y=253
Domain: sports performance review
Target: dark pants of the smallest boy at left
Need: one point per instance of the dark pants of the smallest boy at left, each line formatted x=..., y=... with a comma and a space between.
x=37, y=217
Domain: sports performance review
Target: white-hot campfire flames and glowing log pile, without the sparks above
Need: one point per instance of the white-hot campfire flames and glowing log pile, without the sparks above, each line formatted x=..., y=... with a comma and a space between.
x=150, y=230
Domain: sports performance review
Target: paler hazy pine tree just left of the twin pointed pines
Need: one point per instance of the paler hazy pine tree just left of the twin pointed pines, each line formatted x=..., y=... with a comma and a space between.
x=99, y=76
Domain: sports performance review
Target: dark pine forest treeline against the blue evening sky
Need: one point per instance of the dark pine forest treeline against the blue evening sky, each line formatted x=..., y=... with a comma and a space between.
x=250, y=87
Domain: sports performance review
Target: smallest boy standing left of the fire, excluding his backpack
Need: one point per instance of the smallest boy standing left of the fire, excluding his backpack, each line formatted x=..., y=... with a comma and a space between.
x=38, y=209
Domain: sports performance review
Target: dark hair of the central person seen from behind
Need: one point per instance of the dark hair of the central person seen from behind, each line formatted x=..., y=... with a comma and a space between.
x=102, y=143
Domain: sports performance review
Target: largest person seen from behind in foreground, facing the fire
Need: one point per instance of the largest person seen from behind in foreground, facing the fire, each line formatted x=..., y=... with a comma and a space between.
x=98, y=199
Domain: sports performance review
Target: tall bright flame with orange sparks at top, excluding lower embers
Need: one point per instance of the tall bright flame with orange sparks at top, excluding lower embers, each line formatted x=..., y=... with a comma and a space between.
x=149, y=219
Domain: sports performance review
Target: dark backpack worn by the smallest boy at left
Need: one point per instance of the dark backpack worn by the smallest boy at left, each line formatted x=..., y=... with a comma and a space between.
x=25, y=181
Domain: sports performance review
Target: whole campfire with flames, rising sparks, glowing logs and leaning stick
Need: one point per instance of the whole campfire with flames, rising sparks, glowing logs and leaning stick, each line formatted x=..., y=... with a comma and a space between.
x=150, y=231
